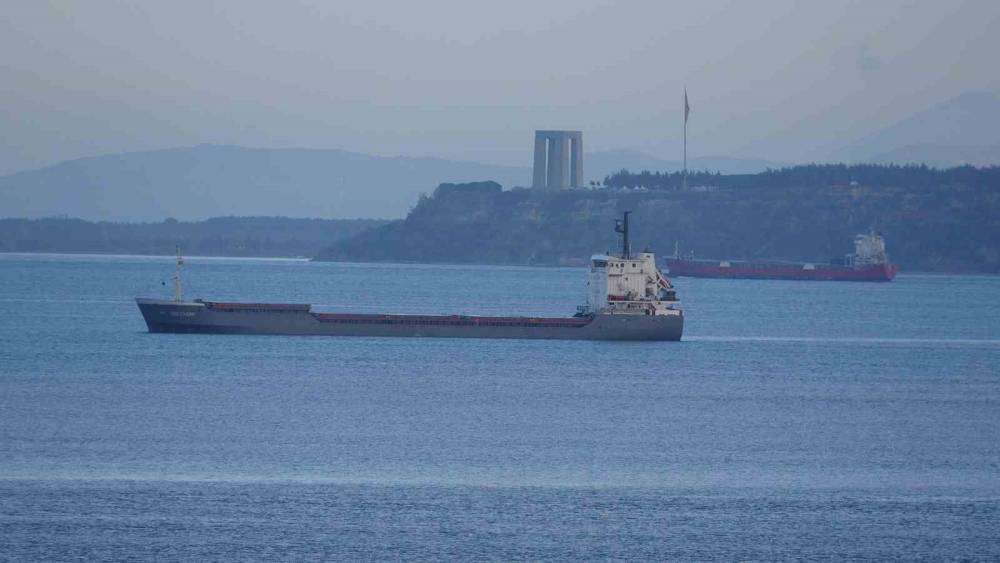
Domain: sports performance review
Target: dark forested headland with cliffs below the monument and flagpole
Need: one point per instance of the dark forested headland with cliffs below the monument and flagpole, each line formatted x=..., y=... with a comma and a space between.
x=933, y=221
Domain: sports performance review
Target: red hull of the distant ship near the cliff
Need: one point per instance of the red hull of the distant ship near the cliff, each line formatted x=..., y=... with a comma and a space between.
x=779, y=271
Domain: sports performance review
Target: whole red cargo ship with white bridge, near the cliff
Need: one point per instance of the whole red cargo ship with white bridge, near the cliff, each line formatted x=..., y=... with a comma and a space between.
x=869, y=262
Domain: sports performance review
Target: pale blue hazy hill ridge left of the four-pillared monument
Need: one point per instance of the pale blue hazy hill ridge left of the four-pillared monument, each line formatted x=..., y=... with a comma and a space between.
x=212, y=180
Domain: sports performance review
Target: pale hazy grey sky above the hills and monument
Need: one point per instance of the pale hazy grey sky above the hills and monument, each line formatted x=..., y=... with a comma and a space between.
x=786, y=81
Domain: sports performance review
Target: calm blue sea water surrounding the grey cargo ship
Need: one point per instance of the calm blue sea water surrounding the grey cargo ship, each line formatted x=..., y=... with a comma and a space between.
x=795, y=420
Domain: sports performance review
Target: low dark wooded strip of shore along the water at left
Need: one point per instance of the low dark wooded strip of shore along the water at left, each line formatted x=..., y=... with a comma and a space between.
x=219, y=236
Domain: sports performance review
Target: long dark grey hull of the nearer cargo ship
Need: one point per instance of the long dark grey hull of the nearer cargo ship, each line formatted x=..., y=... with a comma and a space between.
x=282, y=319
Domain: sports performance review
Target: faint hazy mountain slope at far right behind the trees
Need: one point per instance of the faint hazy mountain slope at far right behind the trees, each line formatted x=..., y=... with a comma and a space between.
x=962, y=130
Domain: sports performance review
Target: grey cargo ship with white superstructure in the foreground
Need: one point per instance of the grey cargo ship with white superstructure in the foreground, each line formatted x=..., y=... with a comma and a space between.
x=628, y=298
